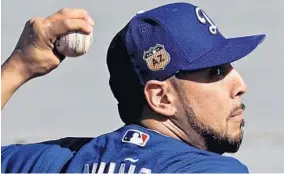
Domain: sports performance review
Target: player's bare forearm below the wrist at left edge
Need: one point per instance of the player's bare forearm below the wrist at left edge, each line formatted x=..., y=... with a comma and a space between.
x=13, y=76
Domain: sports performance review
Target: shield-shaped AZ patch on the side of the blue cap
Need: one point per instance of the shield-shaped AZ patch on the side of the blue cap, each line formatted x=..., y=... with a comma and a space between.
x=157, y=58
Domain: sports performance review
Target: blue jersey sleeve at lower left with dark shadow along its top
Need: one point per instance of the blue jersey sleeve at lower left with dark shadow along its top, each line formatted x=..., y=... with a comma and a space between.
x=24, y=158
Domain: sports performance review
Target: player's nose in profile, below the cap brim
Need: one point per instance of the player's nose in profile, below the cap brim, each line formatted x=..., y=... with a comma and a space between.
x=239, y=86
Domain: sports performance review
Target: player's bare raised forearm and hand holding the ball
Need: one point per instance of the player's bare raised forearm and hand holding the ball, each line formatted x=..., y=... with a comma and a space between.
x=34, y=54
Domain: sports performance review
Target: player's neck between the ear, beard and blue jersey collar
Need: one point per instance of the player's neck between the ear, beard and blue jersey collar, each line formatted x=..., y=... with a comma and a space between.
x=170, y=128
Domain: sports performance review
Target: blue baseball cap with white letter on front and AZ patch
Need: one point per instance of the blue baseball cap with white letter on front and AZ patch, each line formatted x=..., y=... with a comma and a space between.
x=158, y=43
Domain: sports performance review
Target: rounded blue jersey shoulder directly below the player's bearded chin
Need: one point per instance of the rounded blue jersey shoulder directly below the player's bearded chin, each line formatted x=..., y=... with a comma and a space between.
x=202, y=162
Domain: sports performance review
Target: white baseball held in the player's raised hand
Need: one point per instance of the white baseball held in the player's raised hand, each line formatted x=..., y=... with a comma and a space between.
x=74, y=44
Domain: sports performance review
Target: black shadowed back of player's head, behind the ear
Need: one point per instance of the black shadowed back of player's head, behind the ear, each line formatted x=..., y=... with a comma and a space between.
x=124, y=82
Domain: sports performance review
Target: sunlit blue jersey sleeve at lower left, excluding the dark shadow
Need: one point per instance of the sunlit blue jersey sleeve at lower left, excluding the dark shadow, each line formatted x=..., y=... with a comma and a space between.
x=35, y=158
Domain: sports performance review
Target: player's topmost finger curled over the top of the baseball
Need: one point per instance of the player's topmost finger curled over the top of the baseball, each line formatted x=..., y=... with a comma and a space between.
x=71, y=13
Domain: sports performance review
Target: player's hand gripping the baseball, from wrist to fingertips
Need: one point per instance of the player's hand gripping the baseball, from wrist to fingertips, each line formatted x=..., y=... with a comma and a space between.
x=35, y=49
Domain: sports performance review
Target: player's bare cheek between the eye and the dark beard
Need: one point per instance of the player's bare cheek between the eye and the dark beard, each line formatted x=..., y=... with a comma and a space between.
x=211, y=107
